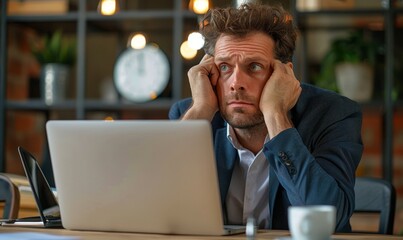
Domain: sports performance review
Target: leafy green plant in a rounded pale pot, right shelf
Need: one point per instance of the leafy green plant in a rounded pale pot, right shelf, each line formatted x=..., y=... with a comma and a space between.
x=348, y=67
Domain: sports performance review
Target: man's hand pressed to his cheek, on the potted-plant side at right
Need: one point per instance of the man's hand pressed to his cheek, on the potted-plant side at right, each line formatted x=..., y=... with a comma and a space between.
x=281, y=91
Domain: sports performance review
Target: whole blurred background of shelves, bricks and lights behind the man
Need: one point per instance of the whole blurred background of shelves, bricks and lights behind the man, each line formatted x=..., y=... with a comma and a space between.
x=91, y=39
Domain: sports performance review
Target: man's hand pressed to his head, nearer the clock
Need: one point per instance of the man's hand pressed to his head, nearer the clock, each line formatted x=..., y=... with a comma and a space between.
x=203, y=79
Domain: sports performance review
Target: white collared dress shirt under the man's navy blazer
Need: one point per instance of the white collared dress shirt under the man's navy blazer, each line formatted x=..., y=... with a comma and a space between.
x=248, y=194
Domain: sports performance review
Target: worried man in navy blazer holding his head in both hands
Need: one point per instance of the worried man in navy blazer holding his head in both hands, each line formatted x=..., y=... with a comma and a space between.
x=282, y=142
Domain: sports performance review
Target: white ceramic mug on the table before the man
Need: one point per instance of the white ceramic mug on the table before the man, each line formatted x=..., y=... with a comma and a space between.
x=315, y=222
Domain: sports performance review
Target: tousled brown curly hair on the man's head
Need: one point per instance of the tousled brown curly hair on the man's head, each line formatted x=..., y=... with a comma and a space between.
x=251, y=17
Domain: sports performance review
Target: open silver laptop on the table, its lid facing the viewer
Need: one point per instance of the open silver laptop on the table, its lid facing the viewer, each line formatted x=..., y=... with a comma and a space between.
x=150, y=176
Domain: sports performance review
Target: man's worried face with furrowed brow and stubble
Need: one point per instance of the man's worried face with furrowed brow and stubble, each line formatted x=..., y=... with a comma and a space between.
x=245, y=66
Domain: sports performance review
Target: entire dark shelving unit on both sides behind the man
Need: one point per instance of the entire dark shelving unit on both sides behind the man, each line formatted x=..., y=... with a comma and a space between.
x=80, y=20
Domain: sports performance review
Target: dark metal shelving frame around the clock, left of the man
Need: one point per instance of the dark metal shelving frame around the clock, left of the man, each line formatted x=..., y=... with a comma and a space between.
x=80, y=20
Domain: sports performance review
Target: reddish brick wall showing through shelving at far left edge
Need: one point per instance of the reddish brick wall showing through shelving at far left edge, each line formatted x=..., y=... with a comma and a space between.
x=23, y=128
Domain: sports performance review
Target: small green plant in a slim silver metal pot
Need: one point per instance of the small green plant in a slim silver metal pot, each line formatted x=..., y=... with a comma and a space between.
x=56, y=57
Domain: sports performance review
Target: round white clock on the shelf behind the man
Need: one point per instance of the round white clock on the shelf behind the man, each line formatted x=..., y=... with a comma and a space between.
x=140, y=75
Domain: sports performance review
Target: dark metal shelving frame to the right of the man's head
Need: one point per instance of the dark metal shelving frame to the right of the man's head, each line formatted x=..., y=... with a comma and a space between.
x=386, y=105
